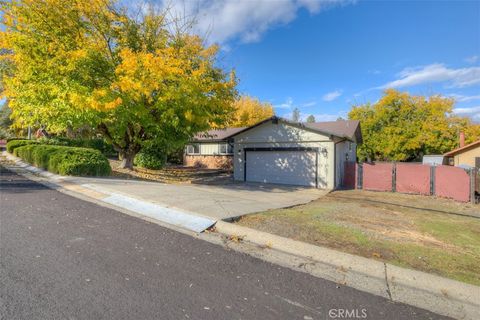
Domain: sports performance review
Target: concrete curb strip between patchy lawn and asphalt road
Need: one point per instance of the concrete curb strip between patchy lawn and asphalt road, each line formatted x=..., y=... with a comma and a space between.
x=437, y=294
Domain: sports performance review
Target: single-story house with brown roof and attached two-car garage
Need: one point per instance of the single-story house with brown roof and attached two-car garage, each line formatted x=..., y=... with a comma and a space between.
x=280, y=151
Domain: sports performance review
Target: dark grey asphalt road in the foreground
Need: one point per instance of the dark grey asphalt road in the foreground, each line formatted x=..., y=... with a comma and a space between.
x=64, y=258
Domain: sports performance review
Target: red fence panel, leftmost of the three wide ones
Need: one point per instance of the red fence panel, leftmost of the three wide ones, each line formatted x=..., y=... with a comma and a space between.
x=377, y=176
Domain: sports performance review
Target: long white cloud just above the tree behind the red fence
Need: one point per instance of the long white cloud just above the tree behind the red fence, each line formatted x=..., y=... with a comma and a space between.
x=436, y=72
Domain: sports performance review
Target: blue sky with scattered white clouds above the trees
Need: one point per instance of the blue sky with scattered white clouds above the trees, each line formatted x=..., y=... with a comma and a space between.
x=324, y=56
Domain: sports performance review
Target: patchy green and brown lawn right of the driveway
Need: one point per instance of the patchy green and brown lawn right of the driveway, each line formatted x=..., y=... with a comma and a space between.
x=423, y=233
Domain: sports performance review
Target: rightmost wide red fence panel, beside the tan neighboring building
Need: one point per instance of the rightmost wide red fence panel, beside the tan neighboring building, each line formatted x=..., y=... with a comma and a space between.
x=452, y=182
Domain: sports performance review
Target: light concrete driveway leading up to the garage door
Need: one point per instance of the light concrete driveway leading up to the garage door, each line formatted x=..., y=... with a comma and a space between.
x=213, y=201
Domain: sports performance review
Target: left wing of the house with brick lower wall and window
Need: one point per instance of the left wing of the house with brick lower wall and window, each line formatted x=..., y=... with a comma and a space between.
x=212, y=150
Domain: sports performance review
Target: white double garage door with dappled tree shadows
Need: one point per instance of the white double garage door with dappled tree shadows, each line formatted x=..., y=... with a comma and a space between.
x=282, y=167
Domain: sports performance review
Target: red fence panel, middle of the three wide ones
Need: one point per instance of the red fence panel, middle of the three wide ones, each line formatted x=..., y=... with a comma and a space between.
x=413, y=178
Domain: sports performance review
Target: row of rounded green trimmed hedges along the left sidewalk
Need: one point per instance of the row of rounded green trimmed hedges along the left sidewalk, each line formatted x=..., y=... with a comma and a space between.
x=65, y=160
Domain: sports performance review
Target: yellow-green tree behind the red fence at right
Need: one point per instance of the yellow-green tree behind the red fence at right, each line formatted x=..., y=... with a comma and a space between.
x=401, y=127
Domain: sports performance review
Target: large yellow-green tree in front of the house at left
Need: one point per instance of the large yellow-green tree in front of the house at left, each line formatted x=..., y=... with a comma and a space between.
x=127, y=77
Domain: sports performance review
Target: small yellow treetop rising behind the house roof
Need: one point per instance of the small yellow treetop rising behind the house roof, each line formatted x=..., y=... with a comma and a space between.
x=249, y=111
